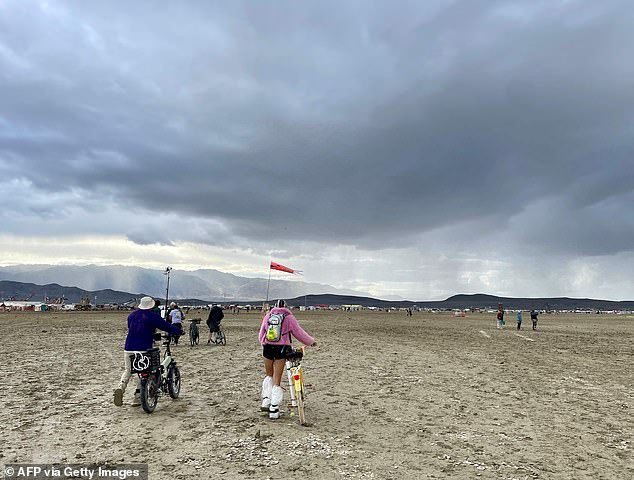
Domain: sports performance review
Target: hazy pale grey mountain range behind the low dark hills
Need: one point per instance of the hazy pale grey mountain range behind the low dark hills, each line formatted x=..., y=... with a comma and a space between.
x=207, y=284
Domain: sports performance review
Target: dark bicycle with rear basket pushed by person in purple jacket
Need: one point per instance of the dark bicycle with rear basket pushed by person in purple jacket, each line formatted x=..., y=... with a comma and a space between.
x=156, y=376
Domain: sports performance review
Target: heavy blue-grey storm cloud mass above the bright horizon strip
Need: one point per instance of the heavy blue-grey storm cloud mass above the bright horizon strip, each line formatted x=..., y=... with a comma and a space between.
x=353, y=123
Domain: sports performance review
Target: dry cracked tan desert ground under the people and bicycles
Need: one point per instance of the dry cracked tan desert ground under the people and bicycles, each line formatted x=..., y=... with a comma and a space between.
x=390, y=397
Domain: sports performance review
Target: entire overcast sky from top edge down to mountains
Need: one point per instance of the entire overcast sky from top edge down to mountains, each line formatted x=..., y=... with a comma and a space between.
x=409, y=148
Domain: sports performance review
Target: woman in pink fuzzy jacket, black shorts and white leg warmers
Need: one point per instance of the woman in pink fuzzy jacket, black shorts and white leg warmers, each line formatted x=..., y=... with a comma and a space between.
x=275, y=352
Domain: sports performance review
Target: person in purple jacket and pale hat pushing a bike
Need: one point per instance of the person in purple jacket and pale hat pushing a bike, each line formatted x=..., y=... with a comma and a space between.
x=142, y=323
